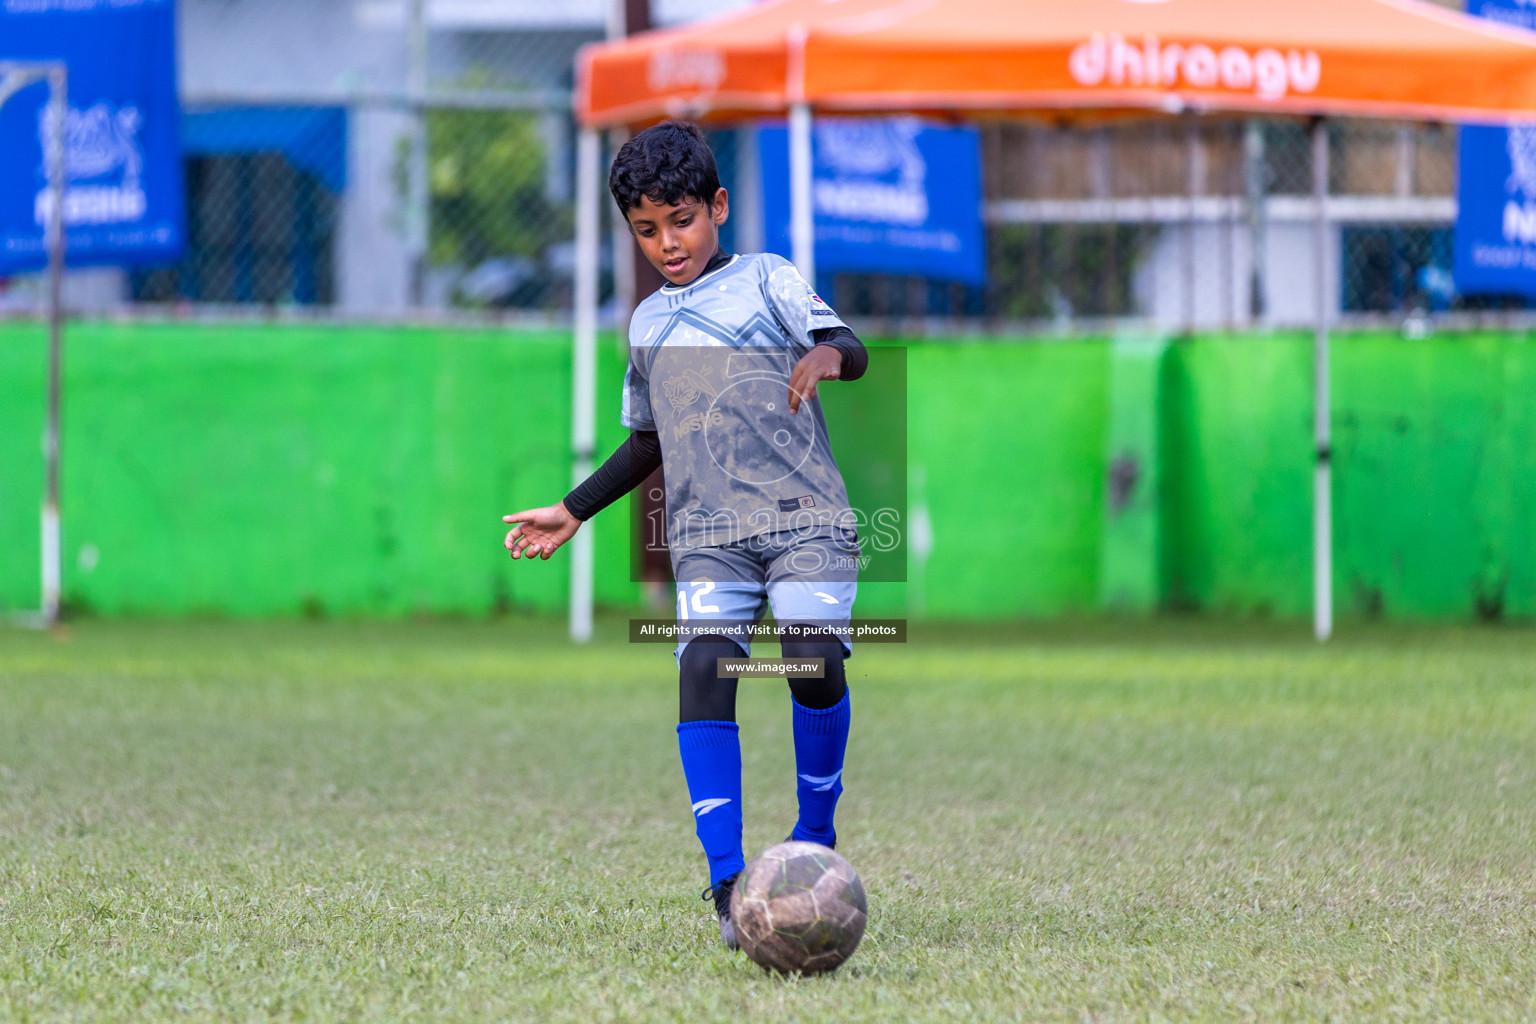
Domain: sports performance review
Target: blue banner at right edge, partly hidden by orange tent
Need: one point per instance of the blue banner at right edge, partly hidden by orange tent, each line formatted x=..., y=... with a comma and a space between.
x=1497, y=191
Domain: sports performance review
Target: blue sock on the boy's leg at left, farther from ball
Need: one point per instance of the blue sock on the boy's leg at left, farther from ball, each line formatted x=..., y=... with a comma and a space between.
x=712, y=761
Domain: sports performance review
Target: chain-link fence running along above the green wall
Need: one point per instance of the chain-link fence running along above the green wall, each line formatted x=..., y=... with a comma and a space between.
x=428, y=171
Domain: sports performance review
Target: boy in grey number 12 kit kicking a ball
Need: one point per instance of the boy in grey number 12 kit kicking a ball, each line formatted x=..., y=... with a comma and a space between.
x=721, y=392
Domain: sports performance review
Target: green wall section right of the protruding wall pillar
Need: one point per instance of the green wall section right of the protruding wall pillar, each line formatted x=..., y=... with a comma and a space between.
x=1434, y=483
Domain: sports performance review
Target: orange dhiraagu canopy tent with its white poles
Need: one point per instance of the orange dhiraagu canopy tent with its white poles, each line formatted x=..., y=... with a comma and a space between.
x=1059, y=59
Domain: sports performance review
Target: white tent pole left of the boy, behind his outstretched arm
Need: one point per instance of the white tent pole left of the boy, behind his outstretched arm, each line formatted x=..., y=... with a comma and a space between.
x=584, y=377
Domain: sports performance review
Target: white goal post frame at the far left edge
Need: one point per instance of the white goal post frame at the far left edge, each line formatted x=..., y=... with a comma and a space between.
x=16, y=76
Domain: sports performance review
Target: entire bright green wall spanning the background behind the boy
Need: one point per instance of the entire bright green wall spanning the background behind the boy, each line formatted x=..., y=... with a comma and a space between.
x=342, y=471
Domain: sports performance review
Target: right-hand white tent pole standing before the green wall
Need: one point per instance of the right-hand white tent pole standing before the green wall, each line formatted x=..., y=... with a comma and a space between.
x=1322, y=478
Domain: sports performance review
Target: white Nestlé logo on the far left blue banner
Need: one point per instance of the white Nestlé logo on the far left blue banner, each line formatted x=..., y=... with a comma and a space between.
x=102, y=153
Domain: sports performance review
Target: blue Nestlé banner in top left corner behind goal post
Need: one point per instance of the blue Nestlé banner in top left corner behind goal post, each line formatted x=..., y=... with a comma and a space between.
x=122, y=159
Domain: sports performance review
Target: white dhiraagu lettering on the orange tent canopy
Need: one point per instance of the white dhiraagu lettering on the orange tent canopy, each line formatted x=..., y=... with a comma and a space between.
x=1268, y=73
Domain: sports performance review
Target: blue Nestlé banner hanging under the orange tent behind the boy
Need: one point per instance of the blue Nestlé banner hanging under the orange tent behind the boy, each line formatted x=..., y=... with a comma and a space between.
x=893, y=196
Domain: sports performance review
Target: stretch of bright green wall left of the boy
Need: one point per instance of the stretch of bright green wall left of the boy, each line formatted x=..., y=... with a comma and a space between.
x=282, y=471
